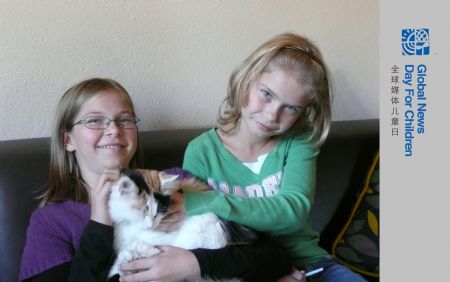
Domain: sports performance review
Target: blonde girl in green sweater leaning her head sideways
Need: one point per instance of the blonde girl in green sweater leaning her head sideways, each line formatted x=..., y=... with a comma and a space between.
x=261, y=159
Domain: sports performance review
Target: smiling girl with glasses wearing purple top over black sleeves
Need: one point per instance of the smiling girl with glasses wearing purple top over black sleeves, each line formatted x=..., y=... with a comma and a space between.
x=70, y=235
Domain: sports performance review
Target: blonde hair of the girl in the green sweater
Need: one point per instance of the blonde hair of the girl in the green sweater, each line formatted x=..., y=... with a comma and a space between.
x=291, y=52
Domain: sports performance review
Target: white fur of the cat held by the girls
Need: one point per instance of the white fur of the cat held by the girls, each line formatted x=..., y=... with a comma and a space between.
x=135, y=218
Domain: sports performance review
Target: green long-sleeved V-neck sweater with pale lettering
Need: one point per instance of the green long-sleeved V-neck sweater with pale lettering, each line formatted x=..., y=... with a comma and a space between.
x=277, y=200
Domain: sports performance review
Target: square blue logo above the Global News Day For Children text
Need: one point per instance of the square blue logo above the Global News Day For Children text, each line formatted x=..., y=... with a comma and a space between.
x=415, y=42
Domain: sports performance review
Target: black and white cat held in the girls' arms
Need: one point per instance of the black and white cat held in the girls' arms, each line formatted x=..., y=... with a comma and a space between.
x=138, y=213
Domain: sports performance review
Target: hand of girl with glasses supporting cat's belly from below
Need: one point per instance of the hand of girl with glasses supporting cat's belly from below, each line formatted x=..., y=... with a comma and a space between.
x=172, y=264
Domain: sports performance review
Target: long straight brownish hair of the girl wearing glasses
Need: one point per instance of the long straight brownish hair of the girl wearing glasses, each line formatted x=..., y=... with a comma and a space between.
x=65, y=180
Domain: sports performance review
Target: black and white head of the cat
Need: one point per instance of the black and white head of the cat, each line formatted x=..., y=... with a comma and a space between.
x=132, y=201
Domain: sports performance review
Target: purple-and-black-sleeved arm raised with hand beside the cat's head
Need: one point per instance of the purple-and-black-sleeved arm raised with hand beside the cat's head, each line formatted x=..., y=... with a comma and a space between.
x=93, y=258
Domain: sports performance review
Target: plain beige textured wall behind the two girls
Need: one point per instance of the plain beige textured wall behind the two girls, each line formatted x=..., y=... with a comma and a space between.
x=174, y=57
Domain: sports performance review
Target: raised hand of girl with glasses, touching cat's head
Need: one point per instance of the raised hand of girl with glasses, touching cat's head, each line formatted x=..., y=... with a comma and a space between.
x=100, y=195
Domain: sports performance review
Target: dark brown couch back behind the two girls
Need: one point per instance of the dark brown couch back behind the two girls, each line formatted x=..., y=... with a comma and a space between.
x=342, y=165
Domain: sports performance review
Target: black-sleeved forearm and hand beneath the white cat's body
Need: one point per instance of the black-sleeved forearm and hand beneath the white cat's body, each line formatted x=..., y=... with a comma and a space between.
x=262, y=261
